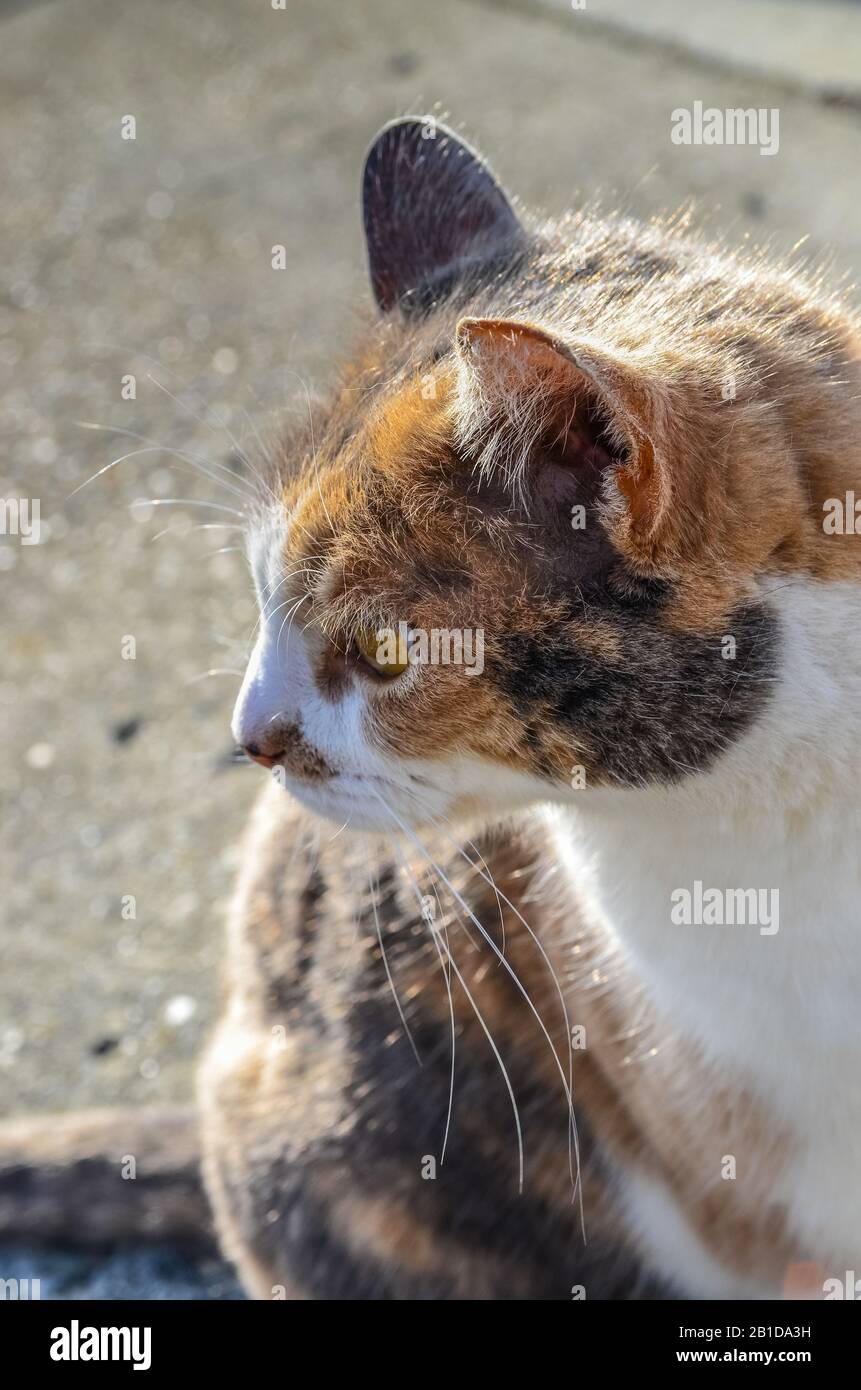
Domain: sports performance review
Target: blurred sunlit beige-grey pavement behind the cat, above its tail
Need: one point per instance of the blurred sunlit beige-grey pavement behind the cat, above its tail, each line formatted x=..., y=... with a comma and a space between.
x=140, y=297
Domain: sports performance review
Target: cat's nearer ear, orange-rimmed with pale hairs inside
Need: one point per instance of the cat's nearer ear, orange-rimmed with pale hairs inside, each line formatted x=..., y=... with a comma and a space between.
x=521, y=390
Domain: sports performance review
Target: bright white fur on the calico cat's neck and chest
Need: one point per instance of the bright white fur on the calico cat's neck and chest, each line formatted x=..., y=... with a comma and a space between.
x=773, y=1001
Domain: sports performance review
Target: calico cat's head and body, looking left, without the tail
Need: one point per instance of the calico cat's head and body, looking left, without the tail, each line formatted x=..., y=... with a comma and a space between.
x=560, y=999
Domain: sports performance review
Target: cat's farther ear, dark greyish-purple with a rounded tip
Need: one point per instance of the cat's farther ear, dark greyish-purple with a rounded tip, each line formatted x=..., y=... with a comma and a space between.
x=433, y=212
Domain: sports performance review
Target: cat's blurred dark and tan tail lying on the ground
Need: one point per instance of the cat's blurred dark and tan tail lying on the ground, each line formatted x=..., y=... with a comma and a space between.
x=104, y=1177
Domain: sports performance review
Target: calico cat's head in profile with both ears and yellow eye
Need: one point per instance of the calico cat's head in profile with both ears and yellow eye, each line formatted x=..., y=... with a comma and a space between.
x=529, y=544
